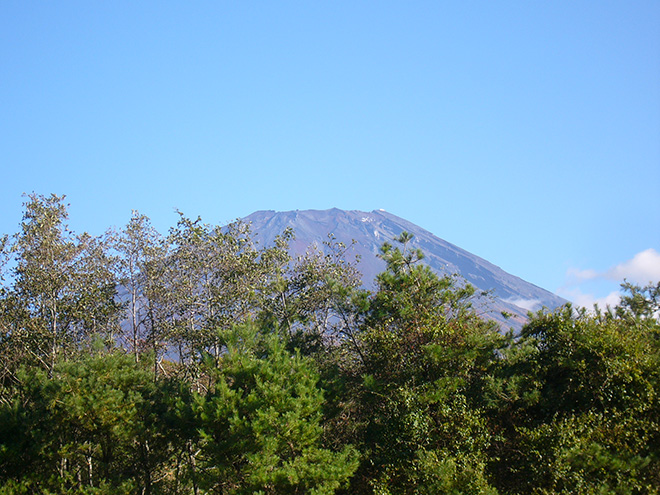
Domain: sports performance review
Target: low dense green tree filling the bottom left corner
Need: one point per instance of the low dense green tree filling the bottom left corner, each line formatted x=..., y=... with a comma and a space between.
x=98, y=424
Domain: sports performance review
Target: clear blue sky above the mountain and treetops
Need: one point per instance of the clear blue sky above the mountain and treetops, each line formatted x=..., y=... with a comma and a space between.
x=525, y=132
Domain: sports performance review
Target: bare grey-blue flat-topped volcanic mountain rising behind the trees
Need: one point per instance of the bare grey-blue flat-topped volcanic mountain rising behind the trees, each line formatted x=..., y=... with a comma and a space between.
x=370, y=230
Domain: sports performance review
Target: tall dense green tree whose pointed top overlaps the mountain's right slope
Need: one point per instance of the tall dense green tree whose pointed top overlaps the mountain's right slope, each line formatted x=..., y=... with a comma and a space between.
x=423, y=356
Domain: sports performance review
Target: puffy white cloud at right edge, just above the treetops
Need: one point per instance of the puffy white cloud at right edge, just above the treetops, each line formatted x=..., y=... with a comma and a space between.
x=643, y=268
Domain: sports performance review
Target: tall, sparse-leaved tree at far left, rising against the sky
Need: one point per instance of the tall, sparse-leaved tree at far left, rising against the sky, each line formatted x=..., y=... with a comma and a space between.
x=63, y=290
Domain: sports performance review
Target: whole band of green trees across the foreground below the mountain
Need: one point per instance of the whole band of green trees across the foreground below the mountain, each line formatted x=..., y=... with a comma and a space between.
x=201, y=362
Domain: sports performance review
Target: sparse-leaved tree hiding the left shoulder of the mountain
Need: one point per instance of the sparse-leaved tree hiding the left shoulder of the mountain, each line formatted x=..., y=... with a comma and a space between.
x=219, y=278
